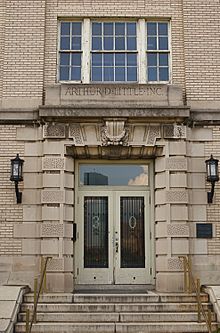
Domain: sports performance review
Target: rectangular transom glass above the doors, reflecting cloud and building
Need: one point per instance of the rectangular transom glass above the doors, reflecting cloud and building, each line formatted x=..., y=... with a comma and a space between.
x=113, y=175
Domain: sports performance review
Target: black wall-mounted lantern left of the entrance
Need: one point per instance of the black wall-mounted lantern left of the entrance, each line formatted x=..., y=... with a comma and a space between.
x=17, y=175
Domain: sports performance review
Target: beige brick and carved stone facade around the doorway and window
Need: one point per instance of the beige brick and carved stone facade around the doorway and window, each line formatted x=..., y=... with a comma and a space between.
x=53, y=125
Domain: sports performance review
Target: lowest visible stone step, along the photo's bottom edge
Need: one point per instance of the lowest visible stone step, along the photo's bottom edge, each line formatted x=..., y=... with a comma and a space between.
x=115, y=328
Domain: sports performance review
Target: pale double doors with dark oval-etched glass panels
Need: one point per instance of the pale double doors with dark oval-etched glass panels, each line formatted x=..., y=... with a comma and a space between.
x=113, y=245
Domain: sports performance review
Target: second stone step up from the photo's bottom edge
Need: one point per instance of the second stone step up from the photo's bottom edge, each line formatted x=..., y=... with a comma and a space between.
x=115, y=317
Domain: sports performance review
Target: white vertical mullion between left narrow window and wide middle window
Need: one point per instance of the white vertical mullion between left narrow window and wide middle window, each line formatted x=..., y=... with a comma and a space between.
x=86, y=46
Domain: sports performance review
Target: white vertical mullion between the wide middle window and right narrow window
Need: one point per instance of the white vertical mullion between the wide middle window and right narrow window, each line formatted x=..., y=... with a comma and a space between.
x=141, y=49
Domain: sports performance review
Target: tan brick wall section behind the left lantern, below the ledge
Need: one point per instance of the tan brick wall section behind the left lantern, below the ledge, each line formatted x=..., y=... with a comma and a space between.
x=10, y=212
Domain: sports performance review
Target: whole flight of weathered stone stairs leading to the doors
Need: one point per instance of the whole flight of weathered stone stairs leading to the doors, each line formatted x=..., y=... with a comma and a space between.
x=114, y=313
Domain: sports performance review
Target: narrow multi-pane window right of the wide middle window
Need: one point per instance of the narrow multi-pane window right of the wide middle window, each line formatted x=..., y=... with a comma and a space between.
x=157, y=51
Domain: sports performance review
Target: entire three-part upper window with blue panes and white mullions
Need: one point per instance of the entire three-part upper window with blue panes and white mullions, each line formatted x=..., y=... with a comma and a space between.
x=114, y=51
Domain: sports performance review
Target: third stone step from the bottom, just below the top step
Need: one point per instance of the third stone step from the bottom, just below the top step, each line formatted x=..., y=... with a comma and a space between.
x=103, y=307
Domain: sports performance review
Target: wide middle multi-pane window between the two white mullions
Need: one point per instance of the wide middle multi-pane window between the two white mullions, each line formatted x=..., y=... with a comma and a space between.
x=114, y=52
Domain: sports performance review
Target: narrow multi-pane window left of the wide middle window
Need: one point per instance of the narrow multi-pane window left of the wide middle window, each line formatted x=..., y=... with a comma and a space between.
x=70, y=51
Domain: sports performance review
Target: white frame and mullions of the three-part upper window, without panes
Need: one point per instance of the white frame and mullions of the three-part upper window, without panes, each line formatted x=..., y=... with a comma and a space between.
x=141, y=51
